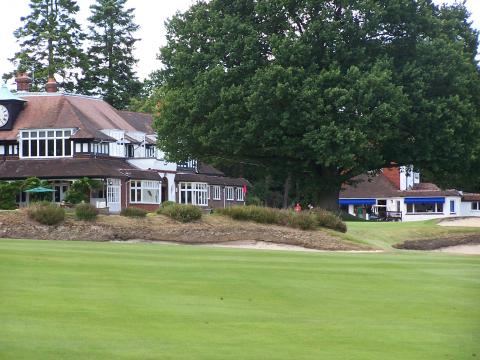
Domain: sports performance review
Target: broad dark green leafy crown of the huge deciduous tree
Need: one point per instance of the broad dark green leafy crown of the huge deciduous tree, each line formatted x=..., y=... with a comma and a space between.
x=324, y=89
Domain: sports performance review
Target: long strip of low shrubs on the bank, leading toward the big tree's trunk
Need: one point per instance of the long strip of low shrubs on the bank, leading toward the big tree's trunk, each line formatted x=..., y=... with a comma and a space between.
x=305, y=220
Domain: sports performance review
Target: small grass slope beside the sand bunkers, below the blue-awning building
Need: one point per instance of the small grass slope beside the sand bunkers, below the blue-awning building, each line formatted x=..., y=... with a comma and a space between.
x=384, y=234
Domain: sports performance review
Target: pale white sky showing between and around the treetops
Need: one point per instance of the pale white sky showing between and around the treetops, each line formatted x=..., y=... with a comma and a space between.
x=149, y=14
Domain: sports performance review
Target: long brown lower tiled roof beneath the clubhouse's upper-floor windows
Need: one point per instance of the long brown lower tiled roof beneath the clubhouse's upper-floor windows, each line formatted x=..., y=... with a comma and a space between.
x=73, y=168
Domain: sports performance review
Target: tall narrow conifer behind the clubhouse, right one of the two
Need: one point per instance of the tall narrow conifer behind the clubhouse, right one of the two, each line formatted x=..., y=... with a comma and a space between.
x=109, y=68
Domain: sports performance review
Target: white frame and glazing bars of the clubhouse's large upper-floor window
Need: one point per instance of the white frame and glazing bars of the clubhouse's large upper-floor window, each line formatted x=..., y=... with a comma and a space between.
x=49, y=134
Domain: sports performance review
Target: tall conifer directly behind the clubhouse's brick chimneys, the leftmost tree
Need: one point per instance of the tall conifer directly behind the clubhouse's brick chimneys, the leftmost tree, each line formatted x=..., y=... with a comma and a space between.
x=50, y=42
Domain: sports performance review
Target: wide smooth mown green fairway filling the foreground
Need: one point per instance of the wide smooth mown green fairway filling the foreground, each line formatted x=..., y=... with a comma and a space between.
x=79, y=300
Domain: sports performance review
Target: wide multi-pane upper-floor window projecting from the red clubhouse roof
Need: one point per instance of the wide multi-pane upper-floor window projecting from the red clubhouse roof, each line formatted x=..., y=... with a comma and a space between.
x=45, y=143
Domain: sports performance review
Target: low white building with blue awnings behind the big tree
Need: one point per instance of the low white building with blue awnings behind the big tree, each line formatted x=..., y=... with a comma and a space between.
x=397, y=194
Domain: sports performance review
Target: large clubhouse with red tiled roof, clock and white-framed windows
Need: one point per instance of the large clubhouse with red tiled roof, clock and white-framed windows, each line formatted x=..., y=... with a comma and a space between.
x=62, y=137
